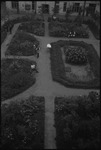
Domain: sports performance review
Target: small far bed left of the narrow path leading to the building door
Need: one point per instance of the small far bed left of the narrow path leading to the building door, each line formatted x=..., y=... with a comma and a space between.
x=36, y=28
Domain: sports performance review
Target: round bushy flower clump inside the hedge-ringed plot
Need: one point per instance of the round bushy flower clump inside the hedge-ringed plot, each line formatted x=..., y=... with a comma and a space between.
x=76, y=56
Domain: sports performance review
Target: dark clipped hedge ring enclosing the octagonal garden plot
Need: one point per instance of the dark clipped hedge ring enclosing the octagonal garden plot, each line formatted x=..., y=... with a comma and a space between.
x=58, y=68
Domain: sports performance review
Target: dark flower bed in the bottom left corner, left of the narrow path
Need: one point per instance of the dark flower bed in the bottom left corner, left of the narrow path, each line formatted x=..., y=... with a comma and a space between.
x=23, y=124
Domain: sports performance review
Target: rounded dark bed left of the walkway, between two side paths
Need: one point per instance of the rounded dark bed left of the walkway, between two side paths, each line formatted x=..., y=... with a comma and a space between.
x=22, y=45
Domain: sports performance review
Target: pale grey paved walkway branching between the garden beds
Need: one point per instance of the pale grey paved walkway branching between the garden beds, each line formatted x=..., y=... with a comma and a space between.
x=45, y=86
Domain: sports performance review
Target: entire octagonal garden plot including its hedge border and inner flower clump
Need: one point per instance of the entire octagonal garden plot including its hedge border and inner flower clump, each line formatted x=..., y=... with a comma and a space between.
x=75, y=64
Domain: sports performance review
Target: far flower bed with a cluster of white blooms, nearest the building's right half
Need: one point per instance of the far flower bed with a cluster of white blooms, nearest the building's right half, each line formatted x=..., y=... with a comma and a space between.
x=69, y=30
